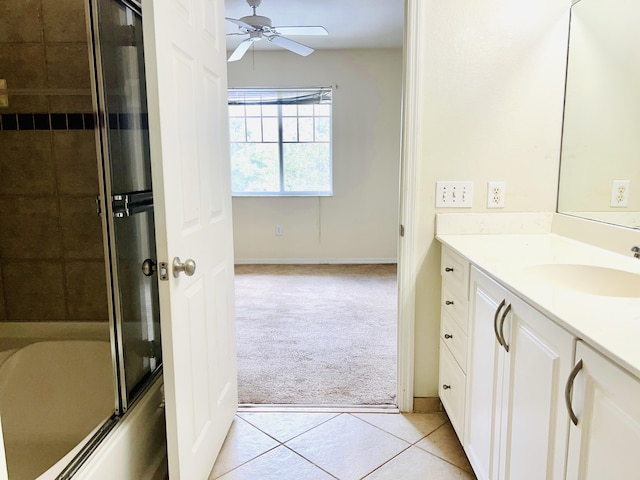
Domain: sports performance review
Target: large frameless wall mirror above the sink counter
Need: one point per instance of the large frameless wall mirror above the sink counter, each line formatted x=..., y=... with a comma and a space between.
x=601, y=135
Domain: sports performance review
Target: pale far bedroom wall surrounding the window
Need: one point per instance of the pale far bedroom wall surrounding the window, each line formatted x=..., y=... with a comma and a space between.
x=360, y=221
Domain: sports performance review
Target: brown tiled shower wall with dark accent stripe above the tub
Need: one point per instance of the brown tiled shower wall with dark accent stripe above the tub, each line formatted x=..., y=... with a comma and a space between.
x=51, y=252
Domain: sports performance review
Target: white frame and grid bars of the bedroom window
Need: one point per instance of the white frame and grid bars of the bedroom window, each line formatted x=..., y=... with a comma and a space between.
x=281, y=97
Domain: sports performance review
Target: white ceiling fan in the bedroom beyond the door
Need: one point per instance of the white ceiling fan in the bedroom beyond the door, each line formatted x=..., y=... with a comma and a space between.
x=258, y=27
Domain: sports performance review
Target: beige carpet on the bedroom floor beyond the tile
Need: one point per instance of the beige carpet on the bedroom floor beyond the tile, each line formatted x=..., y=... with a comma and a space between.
x=316, y=334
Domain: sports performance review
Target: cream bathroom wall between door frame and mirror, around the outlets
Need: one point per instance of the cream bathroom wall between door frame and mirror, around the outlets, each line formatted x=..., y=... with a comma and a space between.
x=492, y=82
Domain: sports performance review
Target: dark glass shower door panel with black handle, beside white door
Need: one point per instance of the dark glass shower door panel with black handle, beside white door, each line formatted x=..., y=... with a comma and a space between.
x=129, y=194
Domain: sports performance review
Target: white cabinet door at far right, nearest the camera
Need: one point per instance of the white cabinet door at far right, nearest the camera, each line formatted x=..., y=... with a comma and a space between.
x=606, y=401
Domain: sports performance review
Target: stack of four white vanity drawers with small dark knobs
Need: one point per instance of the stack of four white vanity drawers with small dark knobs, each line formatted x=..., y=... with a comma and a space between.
x=453, y=336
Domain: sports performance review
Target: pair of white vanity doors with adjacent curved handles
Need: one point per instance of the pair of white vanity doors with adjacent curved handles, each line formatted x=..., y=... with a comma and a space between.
x=516, y=422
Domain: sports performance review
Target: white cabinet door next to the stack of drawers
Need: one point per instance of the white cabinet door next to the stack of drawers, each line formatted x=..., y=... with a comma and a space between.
x=484, y=377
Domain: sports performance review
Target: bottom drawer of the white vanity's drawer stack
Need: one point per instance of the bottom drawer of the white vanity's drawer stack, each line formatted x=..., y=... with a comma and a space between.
x=452, y=389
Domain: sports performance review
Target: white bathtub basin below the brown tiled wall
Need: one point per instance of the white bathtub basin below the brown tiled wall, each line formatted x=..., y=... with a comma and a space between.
x=53, y=395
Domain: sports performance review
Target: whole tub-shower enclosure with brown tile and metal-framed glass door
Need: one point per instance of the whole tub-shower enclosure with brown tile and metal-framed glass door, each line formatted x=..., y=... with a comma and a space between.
x=79, y=306
